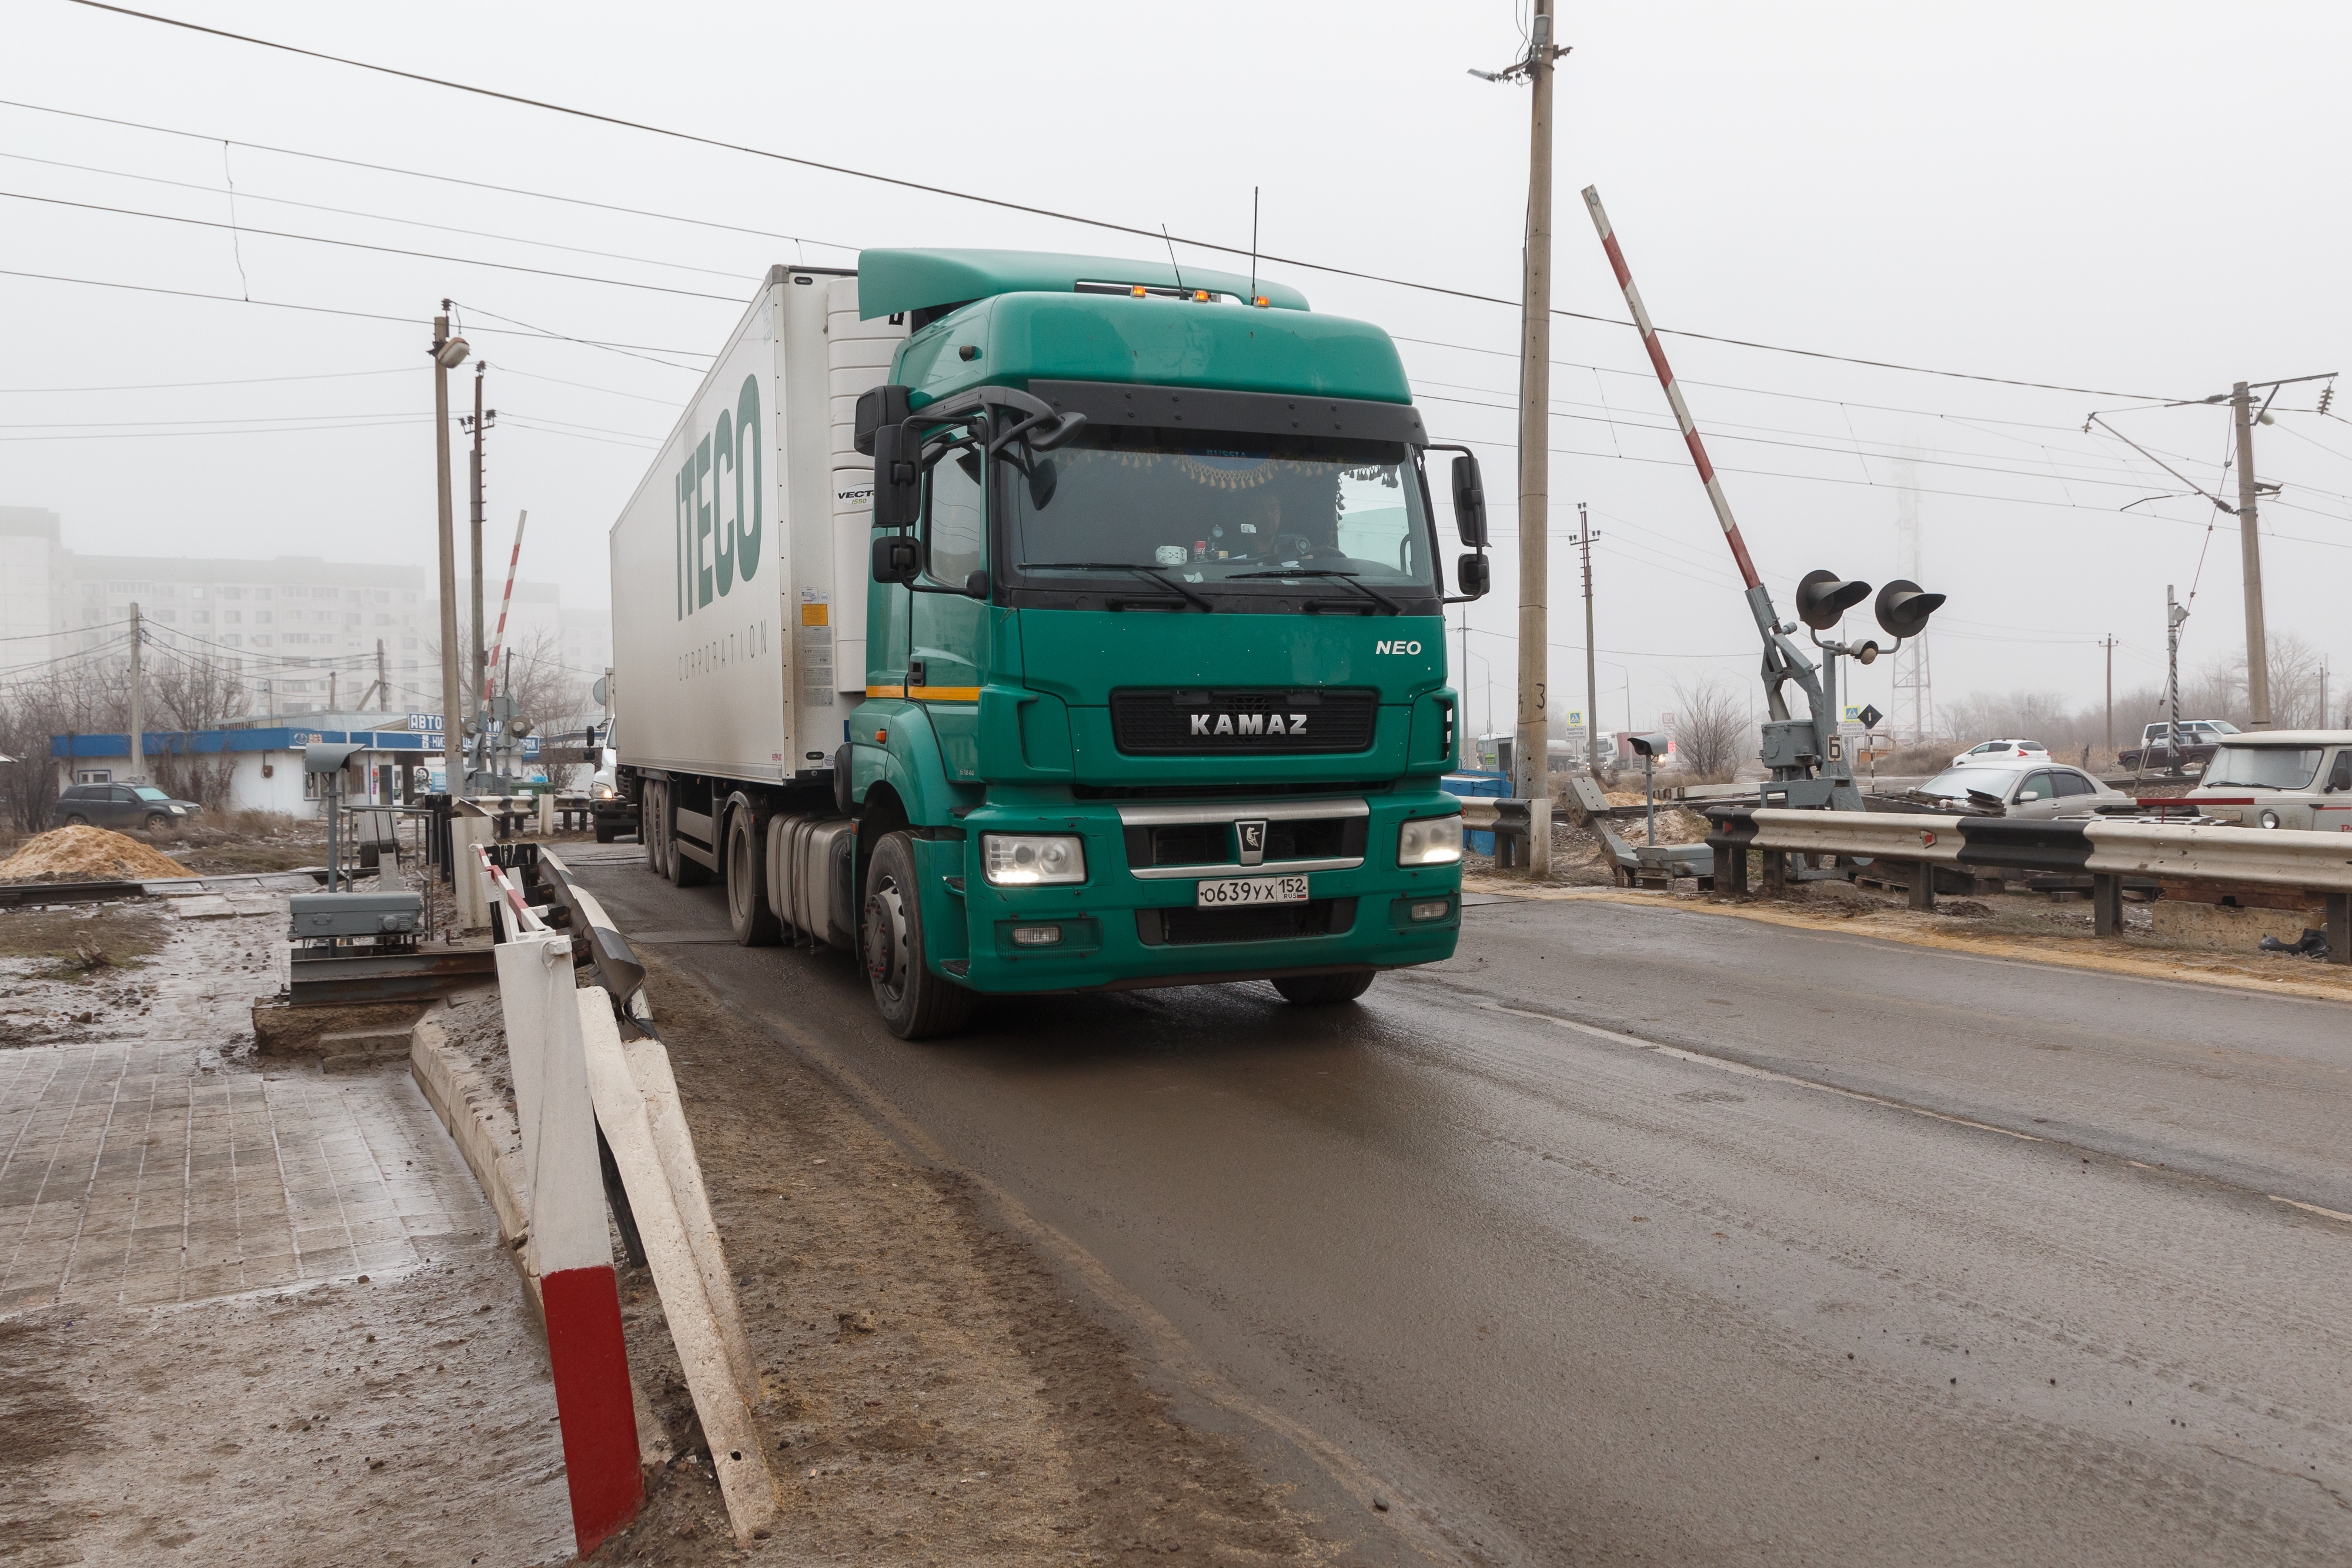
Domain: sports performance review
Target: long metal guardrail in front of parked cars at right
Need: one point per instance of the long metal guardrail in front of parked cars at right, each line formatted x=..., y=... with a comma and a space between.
x=2097, y=847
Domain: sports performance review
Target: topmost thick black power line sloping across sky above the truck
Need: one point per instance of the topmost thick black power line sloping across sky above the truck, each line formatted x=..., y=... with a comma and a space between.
x=1048, y=213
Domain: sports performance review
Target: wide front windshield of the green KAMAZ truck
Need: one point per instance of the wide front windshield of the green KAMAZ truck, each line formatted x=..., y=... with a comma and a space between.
x=1224, y=509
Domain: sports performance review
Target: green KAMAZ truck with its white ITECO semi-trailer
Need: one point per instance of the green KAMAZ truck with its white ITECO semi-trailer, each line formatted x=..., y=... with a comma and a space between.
x=1050, y=624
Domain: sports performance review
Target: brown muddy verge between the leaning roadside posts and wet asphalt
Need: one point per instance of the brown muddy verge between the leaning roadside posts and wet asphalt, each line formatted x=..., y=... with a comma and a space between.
x=933, y=1391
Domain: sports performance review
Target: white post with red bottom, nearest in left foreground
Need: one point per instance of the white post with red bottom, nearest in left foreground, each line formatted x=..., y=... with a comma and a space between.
x=570, y=1249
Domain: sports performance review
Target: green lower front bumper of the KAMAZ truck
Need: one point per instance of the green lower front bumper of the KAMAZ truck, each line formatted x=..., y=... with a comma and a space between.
x=1125, y=932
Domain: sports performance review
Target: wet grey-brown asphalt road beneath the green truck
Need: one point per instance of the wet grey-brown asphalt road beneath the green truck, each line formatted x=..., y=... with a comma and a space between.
x=1648, y=1235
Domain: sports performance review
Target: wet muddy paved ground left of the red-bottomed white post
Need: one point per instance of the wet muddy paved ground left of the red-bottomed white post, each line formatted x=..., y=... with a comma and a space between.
x=225, y=1369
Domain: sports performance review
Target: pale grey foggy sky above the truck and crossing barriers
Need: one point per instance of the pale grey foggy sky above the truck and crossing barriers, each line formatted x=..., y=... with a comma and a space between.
x=2132, y=199
